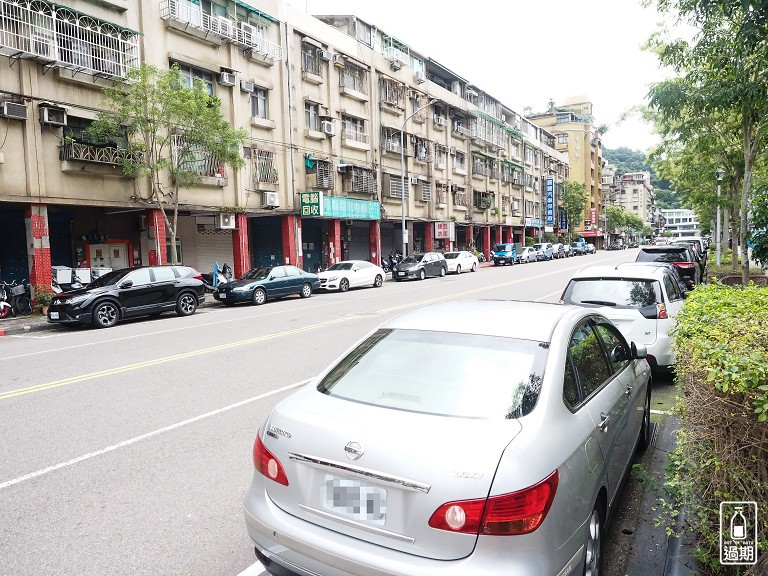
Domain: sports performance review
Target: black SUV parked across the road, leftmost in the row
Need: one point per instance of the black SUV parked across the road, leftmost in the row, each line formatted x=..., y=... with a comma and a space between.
x=120, y=294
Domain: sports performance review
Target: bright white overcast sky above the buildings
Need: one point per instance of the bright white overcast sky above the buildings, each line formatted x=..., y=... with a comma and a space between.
x=526, y=53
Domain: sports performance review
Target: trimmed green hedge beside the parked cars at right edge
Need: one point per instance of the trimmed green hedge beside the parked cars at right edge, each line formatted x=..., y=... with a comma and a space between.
x=721, y=341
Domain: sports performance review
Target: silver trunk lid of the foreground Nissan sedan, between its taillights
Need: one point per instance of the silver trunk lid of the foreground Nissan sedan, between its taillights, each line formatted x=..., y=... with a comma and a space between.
x=378, y=474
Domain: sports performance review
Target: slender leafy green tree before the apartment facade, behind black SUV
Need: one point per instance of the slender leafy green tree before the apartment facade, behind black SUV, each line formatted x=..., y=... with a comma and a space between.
x=176, y=134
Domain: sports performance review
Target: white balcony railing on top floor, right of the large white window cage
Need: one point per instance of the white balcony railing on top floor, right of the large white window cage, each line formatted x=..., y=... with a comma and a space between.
x=239, y=33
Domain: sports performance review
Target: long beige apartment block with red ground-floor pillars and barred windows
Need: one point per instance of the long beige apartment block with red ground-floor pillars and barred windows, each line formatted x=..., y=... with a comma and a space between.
x=332, y=107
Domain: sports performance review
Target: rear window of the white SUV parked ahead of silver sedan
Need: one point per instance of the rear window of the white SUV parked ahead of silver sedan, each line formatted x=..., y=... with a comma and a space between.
x=618, y=292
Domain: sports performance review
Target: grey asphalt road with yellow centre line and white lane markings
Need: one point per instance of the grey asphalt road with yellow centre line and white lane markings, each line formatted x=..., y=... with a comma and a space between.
x=128, y=450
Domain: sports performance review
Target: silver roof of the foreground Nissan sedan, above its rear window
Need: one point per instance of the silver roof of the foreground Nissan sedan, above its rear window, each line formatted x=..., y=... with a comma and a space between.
x=506, y=318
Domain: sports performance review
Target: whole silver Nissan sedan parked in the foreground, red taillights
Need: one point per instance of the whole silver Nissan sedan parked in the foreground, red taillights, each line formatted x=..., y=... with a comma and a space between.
x=417, y=471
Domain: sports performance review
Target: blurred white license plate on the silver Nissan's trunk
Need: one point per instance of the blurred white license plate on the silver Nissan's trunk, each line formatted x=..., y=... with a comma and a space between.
x=355, y=500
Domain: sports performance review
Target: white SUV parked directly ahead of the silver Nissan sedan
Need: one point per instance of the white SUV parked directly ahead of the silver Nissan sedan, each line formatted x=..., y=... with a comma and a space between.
x=642, y=301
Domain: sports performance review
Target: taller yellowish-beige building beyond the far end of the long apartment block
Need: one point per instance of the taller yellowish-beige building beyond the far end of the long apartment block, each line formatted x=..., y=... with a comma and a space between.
x=576, y=136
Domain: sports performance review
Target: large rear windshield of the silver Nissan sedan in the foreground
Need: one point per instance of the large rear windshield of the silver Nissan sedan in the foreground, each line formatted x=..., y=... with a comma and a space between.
x=450, y=374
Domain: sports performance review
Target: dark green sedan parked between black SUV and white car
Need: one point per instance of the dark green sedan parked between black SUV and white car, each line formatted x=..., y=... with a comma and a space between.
x=267, y=282
